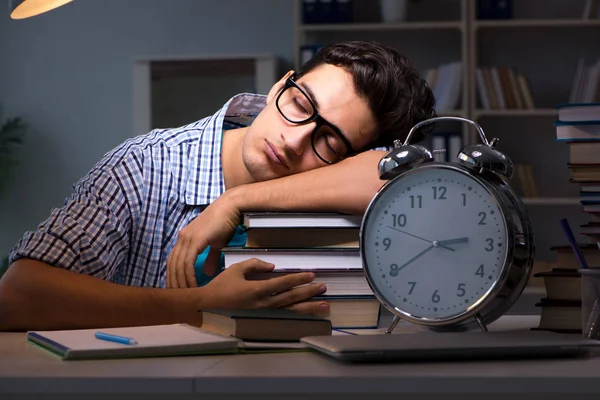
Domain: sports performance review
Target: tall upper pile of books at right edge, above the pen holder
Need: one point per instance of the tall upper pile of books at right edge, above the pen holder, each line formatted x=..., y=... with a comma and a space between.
x=578, y=126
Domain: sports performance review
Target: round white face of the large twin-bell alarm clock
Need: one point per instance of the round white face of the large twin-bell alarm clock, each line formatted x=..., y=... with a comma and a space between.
x=434, y=243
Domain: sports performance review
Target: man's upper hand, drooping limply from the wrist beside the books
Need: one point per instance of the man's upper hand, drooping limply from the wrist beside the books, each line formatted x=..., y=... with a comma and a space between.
x=214, y=226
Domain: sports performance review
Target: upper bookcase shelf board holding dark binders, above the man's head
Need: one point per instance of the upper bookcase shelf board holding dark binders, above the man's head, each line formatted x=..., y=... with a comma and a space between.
x=381, y=26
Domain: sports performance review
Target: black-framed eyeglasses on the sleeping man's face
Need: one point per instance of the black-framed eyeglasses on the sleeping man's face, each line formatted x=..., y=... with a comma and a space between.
x=328, y=143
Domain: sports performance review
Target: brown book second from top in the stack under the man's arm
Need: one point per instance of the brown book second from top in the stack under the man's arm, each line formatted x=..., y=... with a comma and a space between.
x=302, y=237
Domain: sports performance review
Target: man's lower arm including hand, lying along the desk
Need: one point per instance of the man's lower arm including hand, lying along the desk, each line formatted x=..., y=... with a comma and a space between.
x=37, y=296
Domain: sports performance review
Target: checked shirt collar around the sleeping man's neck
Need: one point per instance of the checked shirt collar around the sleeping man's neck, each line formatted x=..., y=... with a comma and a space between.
x=205, y=181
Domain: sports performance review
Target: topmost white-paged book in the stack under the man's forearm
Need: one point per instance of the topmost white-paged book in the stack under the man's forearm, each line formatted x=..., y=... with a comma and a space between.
x=307, y=220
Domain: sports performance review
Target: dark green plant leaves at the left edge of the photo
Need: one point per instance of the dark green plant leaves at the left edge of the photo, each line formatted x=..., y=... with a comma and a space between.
x=12, y=133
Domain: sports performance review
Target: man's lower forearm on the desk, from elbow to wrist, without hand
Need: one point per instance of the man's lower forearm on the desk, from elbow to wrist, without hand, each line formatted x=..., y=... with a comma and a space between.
x=35, y=295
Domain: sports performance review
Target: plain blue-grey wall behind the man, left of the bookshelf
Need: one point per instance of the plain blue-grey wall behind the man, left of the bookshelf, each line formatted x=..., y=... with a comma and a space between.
x=68, y=74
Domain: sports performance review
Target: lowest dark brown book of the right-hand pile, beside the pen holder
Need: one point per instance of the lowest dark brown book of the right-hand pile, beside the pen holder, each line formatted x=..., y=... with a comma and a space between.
x=559, y=315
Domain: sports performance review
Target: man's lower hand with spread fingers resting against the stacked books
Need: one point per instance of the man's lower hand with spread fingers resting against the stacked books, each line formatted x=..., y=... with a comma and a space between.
x=230, y=289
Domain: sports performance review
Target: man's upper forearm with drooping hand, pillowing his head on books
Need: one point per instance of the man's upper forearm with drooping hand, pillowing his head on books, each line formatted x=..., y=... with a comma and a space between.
x=347, y=186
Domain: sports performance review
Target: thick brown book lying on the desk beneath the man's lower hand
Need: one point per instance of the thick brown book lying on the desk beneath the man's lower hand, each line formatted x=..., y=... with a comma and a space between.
x=274, y=324
